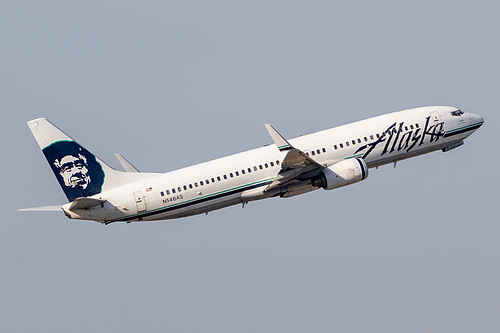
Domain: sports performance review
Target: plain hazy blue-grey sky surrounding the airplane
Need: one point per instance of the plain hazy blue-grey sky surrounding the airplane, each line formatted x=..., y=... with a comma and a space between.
x=173, y=84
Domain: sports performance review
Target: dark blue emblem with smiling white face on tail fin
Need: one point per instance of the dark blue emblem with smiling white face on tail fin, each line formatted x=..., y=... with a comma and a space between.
x=78, y=172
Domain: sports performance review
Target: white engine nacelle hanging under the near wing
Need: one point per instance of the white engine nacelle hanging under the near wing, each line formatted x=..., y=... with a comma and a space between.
x=341, y=174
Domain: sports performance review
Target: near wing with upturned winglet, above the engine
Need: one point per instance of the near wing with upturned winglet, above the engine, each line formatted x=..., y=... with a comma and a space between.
x=295, y=163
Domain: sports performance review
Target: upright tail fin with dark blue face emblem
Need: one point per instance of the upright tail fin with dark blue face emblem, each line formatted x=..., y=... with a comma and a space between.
x=79, y=172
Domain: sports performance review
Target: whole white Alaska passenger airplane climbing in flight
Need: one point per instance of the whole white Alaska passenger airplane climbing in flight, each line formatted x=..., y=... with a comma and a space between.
x=328, y=159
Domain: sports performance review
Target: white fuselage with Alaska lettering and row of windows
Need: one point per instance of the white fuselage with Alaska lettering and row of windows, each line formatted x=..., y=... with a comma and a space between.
x=243, y=177
